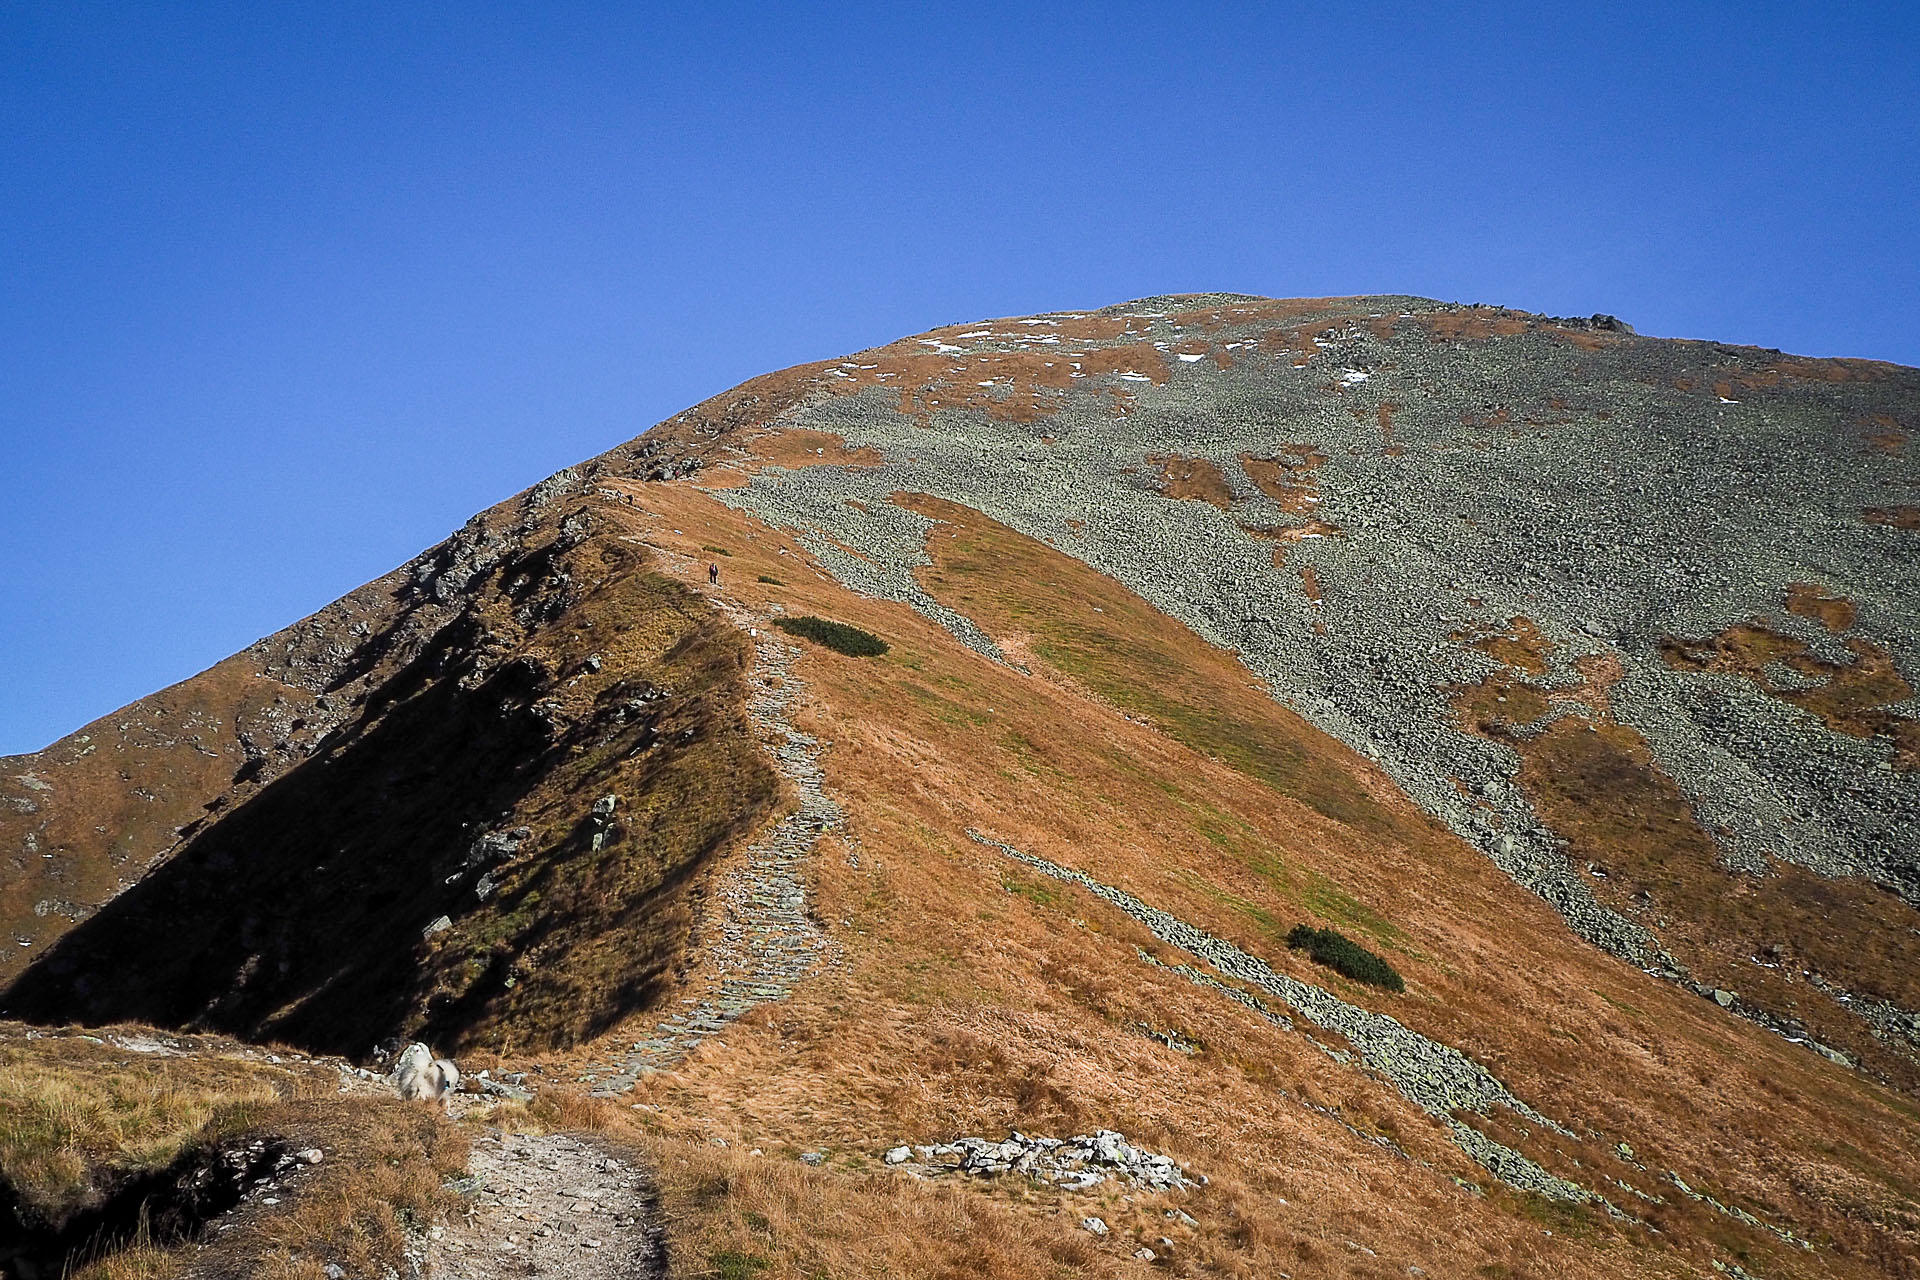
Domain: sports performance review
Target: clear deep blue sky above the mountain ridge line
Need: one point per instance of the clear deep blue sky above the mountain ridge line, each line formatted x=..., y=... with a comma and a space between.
x=289, y=291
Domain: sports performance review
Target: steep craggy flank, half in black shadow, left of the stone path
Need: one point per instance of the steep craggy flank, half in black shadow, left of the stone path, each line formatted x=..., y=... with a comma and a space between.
x=310, y=914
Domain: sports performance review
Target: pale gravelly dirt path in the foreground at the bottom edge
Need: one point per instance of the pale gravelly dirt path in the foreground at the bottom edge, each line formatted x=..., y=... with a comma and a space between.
x=552, y=1206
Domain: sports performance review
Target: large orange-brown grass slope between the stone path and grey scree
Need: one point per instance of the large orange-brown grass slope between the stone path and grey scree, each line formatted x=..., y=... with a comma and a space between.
x=976, y=1001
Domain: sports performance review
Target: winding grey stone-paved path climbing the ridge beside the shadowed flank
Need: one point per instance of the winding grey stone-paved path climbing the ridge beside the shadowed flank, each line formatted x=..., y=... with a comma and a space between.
x=757, y=936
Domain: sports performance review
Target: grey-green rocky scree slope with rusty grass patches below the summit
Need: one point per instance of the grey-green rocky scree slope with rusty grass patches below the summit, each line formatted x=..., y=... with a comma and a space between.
x=1631, y=615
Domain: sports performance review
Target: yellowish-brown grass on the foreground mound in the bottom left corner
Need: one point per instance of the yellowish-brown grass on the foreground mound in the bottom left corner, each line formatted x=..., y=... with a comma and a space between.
x=80, y=1116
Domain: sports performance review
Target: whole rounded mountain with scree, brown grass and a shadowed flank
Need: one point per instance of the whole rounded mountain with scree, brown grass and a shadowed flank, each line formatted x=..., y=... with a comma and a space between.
x=1445, y=776
